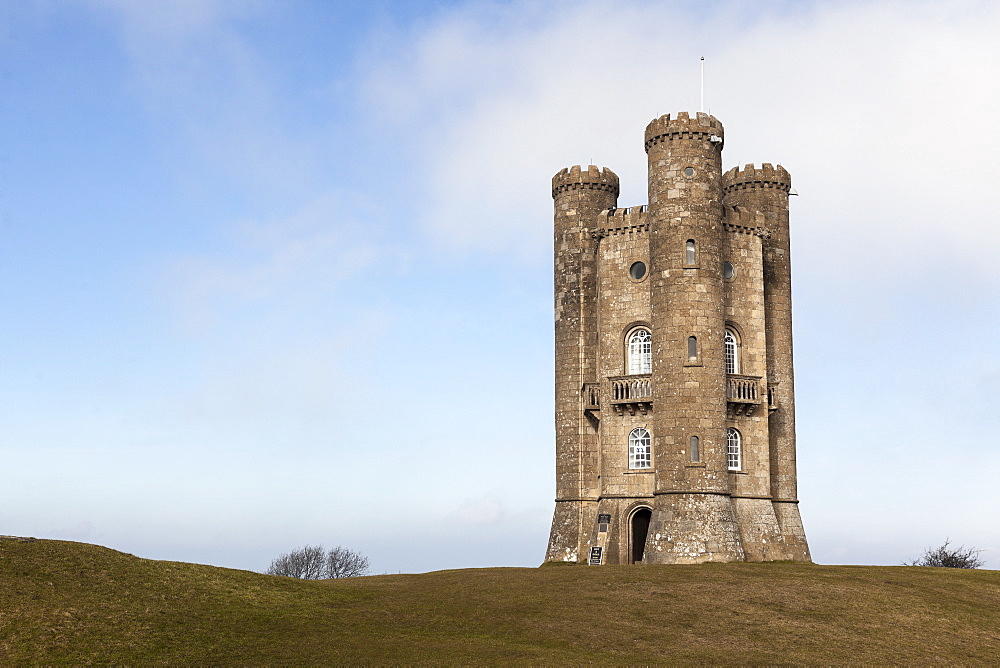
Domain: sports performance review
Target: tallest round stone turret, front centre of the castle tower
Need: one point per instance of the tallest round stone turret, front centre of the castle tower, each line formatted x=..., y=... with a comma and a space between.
x=686, y=248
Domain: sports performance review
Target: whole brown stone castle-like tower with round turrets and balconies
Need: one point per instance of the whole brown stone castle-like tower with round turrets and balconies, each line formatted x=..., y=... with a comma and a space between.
x=675, y=413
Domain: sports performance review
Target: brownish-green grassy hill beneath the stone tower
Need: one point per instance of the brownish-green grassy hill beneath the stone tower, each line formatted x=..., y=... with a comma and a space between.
x=78, y=603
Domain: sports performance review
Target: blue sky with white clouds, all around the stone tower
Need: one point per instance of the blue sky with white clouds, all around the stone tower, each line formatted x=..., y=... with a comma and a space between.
x=278, y=273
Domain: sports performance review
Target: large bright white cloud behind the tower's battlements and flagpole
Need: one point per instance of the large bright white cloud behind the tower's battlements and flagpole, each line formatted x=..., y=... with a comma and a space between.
x=885, y=114
